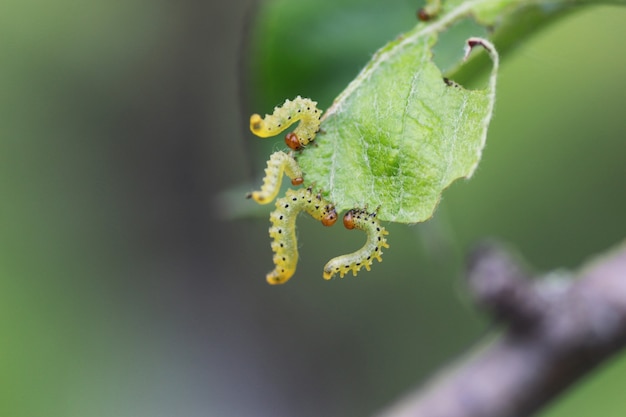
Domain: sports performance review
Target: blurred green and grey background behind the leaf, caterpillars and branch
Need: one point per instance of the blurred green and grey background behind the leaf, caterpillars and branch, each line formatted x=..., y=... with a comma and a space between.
x=128, y=289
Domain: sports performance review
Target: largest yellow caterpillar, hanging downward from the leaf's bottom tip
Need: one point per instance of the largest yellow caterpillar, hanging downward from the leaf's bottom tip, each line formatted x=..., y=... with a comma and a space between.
x=283, y=229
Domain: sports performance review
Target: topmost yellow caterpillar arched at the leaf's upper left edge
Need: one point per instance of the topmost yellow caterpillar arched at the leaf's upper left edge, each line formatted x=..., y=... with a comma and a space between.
x=300, y=109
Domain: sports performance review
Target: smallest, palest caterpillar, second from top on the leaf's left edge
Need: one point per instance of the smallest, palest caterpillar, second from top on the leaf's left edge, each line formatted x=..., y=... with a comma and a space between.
x=279, y=163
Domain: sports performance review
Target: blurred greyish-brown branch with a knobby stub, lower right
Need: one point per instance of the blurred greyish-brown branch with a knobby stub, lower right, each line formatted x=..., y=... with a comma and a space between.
x=556, y=330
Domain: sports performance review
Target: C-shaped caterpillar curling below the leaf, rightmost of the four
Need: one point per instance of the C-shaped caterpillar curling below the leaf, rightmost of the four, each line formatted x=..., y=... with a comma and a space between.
x=364, y=257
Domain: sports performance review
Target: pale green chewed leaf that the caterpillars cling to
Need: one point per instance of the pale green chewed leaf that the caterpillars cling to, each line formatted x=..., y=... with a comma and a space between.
x=399, y=134
